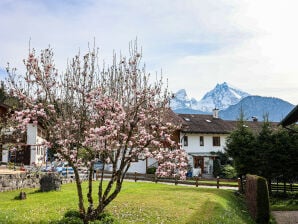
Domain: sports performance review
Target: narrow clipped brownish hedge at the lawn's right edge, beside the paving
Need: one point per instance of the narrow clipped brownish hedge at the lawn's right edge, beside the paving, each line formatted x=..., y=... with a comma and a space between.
x=257, y=198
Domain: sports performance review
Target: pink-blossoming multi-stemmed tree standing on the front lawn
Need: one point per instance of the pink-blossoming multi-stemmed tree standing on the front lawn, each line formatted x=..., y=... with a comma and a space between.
x=113, y=115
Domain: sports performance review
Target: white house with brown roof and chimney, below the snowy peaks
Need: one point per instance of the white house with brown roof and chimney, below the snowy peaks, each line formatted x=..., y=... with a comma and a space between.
x=201, y=136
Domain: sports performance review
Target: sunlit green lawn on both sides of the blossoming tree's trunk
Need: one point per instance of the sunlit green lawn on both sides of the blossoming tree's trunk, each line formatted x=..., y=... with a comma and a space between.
x=137, y=203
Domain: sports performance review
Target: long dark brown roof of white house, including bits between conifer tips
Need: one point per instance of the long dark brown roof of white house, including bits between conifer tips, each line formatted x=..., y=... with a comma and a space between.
x=202, y=123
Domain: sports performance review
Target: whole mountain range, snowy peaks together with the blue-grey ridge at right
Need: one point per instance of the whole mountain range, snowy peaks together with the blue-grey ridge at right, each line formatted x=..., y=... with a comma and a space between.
x=229, y=100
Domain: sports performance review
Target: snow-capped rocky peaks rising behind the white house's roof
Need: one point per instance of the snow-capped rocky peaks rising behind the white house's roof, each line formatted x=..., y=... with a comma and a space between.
x=221, y=97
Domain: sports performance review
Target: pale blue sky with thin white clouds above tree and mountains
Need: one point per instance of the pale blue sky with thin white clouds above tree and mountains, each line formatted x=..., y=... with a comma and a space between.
x=251, y=44
